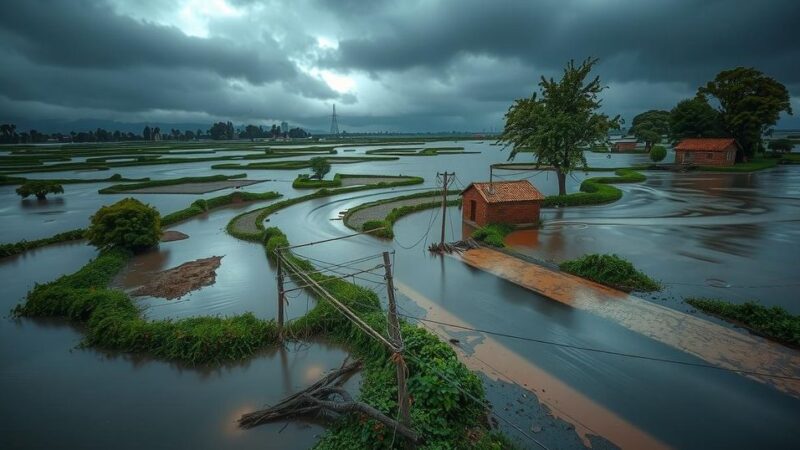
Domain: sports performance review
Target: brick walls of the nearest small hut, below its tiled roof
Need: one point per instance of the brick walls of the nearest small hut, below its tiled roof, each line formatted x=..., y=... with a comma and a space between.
x=512, y=212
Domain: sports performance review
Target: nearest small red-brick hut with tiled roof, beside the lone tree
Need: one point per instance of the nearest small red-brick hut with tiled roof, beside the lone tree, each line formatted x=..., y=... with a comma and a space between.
x=512, y=202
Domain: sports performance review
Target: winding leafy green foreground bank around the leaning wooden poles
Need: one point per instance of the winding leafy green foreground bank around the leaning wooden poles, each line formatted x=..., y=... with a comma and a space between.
x=446, y=414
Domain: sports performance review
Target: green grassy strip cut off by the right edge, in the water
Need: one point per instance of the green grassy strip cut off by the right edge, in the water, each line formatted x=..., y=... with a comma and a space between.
x=771, y=322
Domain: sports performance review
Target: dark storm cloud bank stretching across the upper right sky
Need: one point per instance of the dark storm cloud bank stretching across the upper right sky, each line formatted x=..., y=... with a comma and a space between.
x=650, y=40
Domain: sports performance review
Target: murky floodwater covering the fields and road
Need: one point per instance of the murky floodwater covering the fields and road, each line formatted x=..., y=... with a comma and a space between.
x=728, y=236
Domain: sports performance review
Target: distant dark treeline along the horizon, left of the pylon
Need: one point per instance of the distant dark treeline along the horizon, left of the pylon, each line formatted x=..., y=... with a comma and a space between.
x=218, y=131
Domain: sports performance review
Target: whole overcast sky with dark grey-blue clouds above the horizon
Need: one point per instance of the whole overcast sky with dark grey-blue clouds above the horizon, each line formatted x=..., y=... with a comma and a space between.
x=387, y=65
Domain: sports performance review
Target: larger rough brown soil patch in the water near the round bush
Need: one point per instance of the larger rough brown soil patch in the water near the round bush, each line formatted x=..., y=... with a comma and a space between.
x=179, y=281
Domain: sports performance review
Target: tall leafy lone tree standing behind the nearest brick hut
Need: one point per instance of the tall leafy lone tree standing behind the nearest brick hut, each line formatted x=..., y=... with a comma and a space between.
x=557, y=123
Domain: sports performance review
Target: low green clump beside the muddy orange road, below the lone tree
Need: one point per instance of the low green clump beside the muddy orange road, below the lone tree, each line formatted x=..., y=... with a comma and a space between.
x=610, y=270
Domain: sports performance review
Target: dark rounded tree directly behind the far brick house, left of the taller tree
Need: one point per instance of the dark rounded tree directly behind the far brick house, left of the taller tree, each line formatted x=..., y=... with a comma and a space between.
x=694, y=118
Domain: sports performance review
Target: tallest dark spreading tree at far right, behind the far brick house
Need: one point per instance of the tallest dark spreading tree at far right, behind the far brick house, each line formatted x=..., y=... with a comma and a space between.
x=749, y=104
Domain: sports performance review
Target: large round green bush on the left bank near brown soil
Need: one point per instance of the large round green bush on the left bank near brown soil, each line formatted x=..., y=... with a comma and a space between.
x=127, y=224
